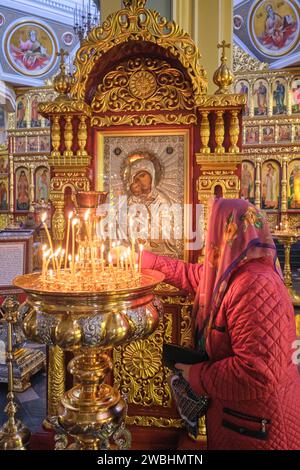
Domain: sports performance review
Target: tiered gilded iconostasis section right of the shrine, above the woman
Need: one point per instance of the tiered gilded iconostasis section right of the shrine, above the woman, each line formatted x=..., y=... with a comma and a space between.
x=271, y=139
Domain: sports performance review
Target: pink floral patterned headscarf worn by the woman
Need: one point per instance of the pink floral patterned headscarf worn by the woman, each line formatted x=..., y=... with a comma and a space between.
x=237, y=233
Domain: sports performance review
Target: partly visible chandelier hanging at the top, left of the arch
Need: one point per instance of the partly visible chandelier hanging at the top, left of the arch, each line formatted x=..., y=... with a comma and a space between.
x=86, y=17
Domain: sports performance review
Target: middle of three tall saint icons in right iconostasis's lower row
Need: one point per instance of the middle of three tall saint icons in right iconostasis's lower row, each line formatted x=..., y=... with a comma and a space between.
x=270, y=185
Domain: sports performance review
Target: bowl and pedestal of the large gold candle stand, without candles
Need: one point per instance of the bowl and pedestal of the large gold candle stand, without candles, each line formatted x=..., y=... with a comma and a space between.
x=90, y=324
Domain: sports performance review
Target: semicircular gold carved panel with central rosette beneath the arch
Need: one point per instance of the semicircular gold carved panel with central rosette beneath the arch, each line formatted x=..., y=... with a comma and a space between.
x=144, y=84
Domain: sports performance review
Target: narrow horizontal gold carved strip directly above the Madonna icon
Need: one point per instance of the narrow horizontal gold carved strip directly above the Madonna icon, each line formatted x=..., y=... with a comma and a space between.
x=144, y=120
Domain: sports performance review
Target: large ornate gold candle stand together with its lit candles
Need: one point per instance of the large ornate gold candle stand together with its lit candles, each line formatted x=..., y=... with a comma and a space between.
x=88, y=307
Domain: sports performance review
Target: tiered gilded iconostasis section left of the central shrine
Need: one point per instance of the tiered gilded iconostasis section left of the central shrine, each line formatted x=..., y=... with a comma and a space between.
x=24, y=169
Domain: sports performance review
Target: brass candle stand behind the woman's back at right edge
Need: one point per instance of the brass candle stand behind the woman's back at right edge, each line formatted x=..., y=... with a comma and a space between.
x=287, y=238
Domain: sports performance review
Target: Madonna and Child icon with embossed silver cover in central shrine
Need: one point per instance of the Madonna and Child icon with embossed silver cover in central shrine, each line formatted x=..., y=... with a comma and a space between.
x=148, y=170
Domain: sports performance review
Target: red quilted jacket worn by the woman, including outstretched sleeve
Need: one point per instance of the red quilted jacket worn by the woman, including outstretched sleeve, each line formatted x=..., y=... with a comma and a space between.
x=253, y=385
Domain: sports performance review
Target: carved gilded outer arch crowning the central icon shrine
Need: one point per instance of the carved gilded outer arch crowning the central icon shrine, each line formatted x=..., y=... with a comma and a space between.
x=136, y=24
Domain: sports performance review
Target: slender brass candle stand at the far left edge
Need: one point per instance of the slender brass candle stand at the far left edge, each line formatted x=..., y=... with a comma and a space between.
x=13, y=434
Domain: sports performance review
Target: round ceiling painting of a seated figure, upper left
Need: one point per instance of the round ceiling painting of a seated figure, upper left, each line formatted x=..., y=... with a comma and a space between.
x=30, y=48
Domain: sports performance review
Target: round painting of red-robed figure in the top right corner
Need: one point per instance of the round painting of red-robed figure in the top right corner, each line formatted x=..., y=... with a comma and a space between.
x=274, y=26
